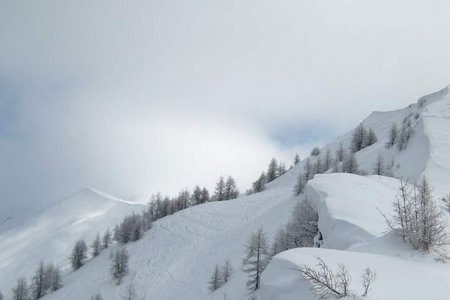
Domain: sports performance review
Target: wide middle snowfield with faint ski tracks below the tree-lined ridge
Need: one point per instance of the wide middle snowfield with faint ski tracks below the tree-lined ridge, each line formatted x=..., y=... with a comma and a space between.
x=175, y=259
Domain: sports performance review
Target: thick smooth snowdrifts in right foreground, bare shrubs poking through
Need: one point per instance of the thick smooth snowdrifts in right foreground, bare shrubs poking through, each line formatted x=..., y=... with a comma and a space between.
x=354, y=234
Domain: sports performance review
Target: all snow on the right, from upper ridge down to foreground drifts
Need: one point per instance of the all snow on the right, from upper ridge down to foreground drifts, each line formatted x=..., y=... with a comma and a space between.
x=353, y=229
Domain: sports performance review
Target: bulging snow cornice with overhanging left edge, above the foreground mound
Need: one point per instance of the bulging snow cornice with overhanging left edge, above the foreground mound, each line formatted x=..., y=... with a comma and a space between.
x=348, y=207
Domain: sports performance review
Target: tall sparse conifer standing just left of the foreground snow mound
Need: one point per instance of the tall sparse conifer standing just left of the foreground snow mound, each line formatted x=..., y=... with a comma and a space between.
x=257, y=259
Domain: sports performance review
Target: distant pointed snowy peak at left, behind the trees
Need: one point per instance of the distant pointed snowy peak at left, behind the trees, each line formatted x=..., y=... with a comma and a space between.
x=51, y=235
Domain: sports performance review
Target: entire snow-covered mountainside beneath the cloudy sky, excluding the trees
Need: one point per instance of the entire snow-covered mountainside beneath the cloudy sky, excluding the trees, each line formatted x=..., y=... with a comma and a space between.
x=175, y=258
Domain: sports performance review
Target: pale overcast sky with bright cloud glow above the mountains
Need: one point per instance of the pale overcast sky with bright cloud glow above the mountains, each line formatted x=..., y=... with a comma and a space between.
x=134, y=97
